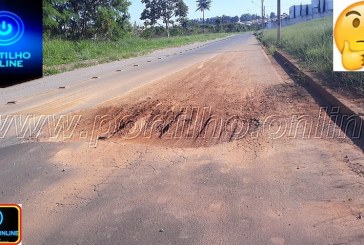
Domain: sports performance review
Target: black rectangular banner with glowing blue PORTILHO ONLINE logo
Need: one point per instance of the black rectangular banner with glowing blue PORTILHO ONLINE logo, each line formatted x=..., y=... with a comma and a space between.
x=21, y=51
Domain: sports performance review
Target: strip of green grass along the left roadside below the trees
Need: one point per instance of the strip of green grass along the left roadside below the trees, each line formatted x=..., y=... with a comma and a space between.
x=63, y=55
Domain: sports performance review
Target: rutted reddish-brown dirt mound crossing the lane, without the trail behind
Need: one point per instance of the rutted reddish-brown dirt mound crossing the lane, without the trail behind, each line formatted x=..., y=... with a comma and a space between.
x=161, y=121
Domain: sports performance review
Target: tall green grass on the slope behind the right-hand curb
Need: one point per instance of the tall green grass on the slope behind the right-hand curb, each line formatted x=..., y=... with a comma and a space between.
x=312, y=43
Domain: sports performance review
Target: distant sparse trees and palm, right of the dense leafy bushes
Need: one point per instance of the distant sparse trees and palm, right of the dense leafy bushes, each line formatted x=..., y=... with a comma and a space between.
x=169, y=17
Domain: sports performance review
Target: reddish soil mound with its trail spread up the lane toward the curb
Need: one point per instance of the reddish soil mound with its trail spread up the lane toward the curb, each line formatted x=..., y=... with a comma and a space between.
x=220, y=100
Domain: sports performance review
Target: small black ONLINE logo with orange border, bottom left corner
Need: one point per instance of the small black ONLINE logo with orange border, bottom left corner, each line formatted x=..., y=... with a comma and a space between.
x=10, y=224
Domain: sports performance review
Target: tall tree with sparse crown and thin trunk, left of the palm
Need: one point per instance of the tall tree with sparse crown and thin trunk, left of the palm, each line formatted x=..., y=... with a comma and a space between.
x=166, y=10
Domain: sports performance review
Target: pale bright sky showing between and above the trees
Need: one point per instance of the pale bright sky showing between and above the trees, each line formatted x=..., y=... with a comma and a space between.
x=223, y=7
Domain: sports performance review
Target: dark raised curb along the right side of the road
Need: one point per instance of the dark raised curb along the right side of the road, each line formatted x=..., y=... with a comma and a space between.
x=327, y=95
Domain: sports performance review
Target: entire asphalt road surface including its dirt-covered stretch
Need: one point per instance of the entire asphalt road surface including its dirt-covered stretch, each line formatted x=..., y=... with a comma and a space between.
x=223, y=148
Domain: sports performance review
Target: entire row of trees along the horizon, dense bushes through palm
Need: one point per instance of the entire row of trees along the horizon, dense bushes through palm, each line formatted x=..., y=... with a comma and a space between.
x=110, y=19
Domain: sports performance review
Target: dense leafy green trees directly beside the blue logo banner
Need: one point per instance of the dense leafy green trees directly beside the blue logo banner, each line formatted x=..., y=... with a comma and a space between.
x=75, y=19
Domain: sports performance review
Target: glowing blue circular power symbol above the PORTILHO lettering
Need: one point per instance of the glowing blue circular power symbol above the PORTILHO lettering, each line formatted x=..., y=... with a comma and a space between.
x=11, y=28
